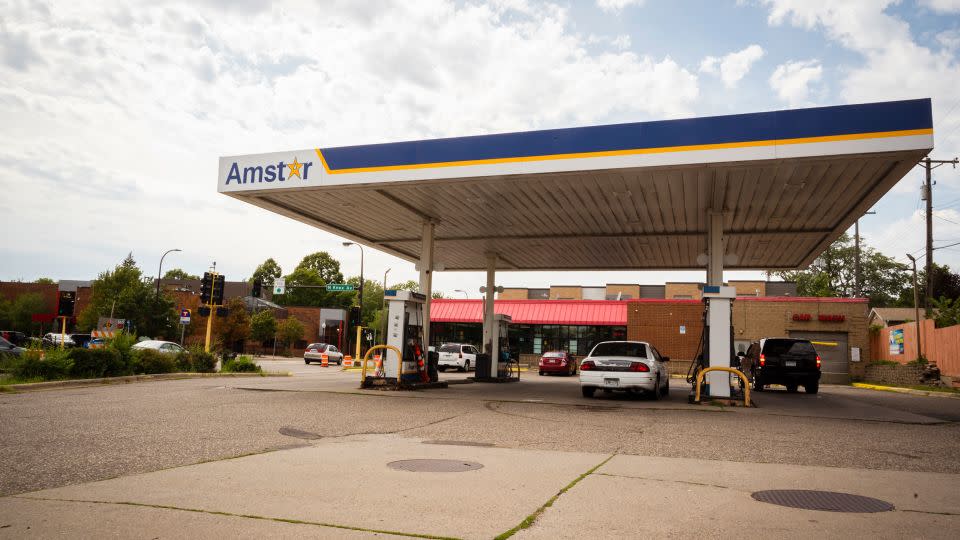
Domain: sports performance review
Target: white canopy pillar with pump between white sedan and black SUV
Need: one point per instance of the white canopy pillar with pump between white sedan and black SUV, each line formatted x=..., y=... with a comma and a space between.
x=718, y=309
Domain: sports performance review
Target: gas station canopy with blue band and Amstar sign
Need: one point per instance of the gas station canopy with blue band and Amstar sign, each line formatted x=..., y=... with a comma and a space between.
x=626, y=196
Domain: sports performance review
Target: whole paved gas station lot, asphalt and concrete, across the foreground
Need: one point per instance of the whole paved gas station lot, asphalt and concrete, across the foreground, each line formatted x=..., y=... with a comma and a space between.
x=111, y=456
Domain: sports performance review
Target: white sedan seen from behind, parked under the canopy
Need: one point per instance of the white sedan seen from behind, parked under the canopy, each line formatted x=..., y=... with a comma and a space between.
x=626, y=366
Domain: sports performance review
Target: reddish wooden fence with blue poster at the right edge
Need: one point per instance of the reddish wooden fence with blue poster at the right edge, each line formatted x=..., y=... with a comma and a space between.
x=939, y=345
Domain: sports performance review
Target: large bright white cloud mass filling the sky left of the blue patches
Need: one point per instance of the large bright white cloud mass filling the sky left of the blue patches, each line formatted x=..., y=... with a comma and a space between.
x=113, y=104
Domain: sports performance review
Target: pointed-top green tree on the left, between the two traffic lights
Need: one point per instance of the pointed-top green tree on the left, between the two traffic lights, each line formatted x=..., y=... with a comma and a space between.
x=126, y=293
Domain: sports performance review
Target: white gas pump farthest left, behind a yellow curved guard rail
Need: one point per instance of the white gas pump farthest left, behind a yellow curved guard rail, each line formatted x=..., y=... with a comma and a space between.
x=405, y=333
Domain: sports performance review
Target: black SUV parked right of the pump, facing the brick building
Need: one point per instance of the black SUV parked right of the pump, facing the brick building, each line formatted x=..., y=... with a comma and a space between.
x=787, y=361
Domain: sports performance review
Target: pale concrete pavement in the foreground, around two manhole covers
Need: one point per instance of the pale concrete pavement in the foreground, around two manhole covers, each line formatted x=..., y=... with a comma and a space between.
x=342, y=487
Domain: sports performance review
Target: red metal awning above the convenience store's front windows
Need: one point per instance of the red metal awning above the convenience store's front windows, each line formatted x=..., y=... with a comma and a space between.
x=580, y=312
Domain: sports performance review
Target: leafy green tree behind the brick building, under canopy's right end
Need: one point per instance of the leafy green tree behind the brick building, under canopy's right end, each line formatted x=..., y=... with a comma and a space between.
x=831, y=274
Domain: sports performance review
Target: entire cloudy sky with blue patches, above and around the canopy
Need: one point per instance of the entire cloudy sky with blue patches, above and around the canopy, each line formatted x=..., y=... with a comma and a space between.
x=114, y=114
